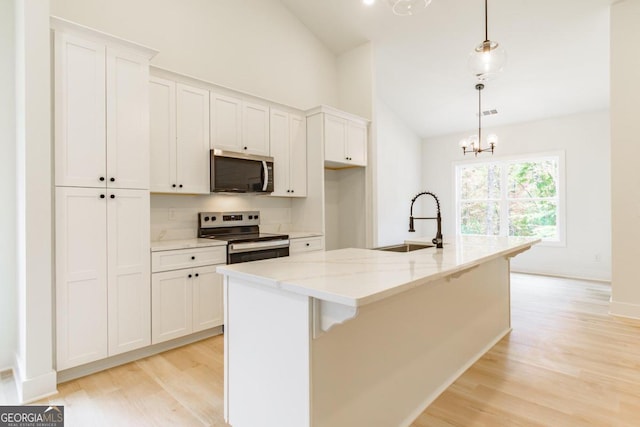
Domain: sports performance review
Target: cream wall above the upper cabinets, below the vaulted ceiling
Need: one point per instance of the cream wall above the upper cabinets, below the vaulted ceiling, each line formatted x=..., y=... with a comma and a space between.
x=255, y=46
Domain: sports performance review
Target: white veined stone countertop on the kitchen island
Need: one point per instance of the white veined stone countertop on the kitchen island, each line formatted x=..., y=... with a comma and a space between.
x=356, y=277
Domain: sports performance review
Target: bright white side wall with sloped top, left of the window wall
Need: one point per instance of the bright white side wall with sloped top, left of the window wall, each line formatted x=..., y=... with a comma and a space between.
x=398, y=176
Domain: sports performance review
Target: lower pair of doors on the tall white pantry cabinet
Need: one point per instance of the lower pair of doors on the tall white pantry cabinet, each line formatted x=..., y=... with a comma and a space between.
x=102, y=273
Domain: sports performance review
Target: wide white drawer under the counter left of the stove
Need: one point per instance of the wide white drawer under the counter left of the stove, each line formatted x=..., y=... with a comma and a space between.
x=186, y=258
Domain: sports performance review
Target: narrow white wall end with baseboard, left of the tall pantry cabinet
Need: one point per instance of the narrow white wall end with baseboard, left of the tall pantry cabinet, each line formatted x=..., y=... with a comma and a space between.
x=34, y=356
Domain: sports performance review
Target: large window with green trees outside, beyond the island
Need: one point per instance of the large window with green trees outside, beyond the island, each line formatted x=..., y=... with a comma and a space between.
x=512, y=197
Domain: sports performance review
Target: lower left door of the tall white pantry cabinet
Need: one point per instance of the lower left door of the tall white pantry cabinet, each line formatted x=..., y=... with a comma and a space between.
x=81, y=276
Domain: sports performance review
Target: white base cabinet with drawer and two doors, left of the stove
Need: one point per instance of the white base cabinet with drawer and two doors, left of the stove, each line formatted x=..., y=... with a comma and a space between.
x=185, y=300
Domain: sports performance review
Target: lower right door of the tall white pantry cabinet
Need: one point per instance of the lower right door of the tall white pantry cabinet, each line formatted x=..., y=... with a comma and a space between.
x=128, y=270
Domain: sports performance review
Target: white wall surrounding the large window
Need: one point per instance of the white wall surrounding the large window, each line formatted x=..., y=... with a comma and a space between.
x=586, y=142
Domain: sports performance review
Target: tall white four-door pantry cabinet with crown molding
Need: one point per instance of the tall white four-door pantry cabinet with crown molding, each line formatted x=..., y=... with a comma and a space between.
x=102, y=194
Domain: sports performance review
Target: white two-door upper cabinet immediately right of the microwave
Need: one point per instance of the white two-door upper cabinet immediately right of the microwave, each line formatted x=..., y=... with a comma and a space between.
x=289, y=151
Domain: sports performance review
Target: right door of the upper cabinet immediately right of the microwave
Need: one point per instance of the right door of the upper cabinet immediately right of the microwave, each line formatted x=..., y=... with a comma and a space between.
x=298, y=155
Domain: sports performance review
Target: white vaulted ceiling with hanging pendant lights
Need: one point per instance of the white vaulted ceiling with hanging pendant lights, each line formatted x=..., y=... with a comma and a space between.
x=558, y=57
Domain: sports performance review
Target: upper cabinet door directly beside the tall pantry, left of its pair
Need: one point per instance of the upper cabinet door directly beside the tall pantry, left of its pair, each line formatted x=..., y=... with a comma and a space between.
x=162, y=126
